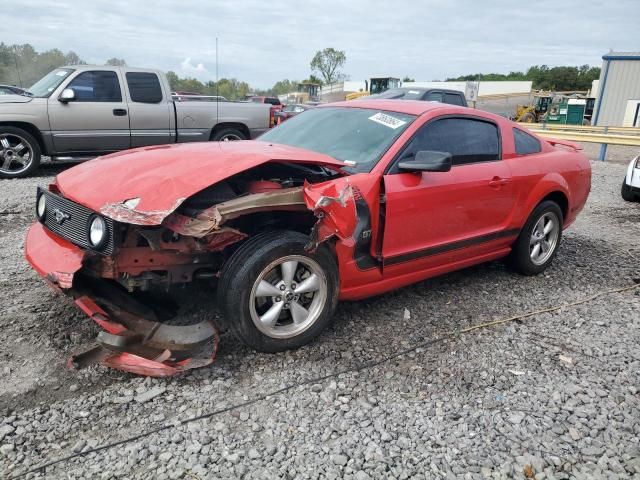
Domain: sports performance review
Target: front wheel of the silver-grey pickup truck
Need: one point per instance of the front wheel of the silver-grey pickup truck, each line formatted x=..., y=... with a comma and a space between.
x=19, y=153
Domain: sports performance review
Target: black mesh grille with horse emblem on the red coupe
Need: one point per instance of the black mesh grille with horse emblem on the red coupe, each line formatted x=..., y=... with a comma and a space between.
x=73, y=221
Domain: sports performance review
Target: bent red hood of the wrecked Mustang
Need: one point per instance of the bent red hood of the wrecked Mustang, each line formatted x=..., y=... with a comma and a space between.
x=156, y=180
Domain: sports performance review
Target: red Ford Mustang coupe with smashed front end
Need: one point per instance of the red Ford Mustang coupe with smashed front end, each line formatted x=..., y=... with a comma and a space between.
x=342, y=202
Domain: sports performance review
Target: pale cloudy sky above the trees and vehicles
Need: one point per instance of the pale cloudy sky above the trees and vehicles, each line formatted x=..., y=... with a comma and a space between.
x=265, y=41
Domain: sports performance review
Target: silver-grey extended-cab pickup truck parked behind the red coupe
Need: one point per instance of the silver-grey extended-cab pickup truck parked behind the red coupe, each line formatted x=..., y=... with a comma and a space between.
x=84, y=111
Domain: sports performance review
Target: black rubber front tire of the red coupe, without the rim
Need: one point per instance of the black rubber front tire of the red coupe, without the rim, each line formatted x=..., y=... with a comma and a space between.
x=242, y=271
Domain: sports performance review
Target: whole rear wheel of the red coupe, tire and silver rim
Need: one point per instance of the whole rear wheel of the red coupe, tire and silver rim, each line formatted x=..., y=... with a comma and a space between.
x=539, y=240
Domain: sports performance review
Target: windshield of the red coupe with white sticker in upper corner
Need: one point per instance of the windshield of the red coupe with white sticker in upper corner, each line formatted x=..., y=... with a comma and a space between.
x=357, y=136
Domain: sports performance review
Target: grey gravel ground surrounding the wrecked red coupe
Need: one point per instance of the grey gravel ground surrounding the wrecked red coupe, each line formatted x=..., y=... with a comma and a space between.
x=555, y=395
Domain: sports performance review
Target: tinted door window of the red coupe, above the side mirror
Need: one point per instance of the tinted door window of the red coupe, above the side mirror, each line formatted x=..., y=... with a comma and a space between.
x=468, y=140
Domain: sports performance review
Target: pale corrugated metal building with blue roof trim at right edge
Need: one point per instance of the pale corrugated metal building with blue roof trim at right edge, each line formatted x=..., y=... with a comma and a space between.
x=618, y=100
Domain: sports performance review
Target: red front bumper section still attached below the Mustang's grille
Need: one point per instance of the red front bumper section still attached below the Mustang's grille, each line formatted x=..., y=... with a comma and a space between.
x=54, y=258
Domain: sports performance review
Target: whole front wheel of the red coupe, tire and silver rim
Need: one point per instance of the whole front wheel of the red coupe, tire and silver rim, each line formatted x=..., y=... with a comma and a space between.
x=274, y=295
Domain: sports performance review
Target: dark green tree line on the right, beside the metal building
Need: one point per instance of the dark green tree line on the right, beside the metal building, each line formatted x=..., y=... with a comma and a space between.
x=544, y=77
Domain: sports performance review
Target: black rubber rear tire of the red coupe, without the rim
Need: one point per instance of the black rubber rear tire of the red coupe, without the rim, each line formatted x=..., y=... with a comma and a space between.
x=520, y=257
